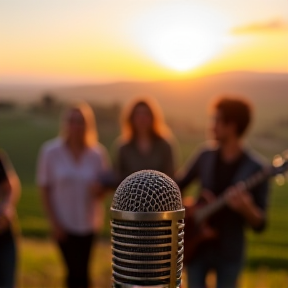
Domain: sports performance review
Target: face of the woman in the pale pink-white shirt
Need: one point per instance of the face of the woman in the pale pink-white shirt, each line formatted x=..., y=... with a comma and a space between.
x=75, y=125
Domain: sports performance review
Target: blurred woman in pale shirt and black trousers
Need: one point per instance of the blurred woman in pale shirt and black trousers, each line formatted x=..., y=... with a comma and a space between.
x=69, y=175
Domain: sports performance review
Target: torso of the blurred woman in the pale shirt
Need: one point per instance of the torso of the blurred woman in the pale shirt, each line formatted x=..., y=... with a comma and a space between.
x=70, y=181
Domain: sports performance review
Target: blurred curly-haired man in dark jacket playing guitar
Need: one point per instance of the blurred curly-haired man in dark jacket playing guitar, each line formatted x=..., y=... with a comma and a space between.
x=217, y=167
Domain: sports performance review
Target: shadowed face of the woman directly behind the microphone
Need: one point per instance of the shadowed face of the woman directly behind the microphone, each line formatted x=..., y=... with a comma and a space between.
x=142, y=119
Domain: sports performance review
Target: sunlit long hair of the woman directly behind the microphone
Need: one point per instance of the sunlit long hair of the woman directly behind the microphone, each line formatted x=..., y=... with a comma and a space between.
x=159, y=127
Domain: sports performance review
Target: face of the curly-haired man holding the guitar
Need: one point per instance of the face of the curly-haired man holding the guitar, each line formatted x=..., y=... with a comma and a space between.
x=221, y=130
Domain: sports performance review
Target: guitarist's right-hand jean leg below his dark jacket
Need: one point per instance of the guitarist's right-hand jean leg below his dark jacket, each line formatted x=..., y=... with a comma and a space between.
x=228, y=273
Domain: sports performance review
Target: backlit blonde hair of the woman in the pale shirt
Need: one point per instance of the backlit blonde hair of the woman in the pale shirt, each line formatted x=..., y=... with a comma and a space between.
x=91, y=135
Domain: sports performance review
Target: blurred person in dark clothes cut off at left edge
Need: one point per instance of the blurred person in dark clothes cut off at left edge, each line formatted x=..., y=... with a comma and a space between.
x=9, y=194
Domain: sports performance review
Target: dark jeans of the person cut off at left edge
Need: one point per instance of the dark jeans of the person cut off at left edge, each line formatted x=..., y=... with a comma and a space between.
x=7, y=259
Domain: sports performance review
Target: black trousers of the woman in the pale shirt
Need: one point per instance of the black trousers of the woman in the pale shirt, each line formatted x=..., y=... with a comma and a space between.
x=76, y=251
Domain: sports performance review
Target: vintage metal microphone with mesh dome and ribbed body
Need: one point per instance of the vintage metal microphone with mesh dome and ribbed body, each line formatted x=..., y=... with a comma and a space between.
x=147, y=232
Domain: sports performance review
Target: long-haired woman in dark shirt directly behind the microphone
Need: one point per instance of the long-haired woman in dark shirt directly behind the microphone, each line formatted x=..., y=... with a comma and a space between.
x=145, y=140
